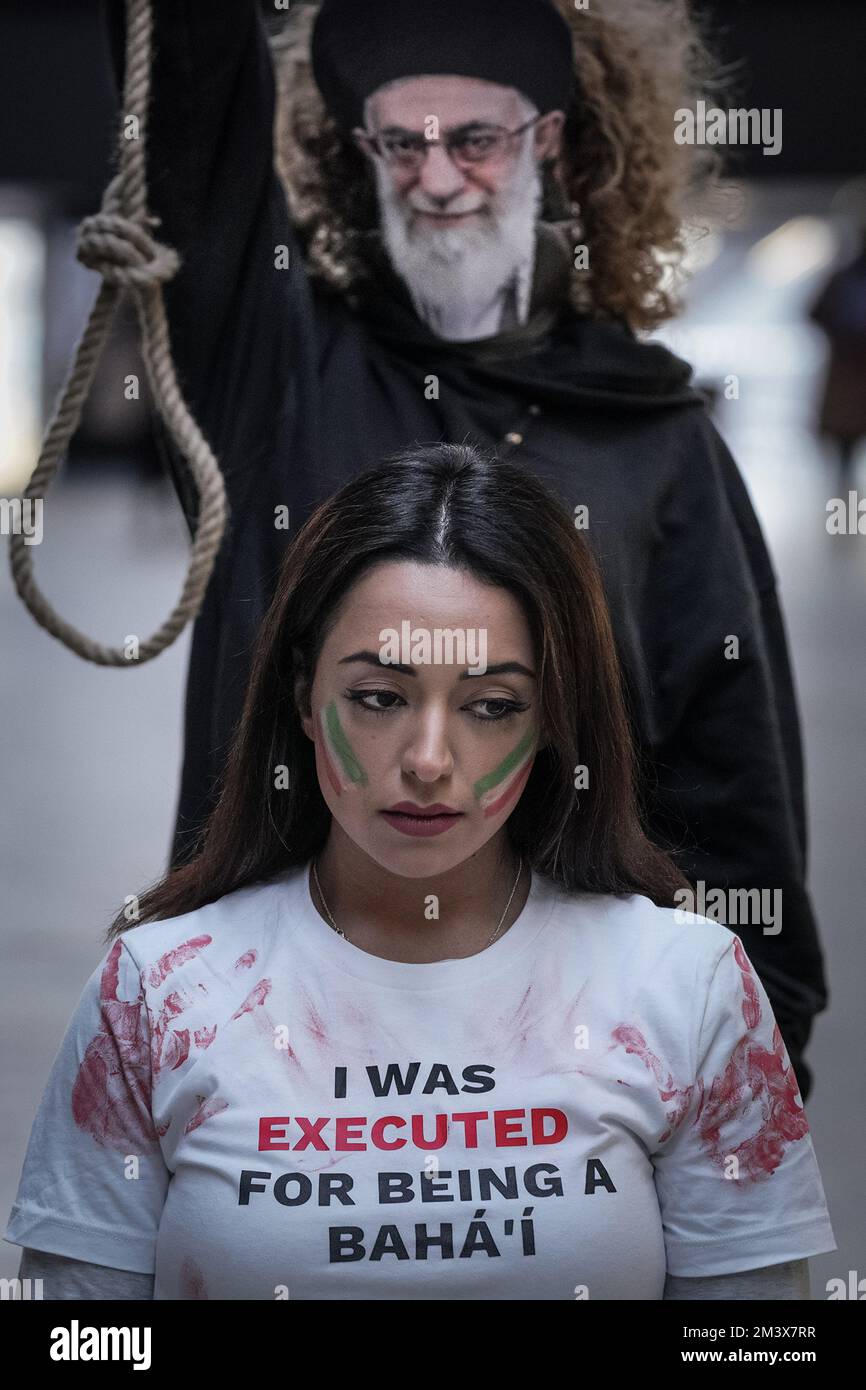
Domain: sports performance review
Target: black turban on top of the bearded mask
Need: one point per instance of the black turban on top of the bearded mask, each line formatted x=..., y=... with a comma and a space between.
x=359, y=45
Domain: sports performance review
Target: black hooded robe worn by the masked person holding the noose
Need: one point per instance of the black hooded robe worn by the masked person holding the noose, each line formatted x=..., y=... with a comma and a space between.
x=297, y=393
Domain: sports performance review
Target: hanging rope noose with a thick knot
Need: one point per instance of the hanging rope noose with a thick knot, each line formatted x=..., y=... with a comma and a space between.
x=119, y=244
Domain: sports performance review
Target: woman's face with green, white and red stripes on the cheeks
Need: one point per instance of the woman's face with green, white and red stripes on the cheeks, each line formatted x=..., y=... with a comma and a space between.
x=426, y=732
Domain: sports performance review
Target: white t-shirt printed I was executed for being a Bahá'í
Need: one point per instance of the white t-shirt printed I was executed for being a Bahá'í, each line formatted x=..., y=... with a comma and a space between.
x=252, y=1107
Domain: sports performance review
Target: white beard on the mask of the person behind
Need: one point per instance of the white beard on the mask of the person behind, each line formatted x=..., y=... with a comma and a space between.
x=465, y=280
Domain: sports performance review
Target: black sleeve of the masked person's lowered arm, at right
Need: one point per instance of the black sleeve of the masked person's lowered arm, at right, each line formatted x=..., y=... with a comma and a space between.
x=729, y=771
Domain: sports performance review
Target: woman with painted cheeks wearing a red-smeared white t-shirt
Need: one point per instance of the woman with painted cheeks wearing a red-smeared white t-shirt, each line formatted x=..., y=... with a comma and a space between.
x=426, y=956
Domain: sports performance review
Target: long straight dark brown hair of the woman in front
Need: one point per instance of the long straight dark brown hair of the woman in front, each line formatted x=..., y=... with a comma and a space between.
x=455, y=507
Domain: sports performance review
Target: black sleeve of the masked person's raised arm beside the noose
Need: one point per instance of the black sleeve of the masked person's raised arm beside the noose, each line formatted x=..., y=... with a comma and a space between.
x=212, y=183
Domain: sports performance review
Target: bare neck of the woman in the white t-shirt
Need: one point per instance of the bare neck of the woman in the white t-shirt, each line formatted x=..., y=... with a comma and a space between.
x=393, y=917
